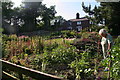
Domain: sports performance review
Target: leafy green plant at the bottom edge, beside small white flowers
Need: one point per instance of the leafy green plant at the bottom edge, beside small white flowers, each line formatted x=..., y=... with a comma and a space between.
x=81, y=65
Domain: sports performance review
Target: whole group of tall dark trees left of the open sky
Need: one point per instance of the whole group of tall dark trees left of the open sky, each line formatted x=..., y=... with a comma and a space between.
x=26, y=16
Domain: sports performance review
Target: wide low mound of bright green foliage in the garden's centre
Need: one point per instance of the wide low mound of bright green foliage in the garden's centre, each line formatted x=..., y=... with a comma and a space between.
x=59, y=55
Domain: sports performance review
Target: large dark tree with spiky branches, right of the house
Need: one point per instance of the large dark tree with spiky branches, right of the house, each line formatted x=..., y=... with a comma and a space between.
x=106, y=14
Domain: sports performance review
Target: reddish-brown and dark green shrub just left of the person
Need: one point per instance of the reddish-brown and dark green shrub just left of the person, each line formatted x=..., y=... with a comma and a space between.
x=88, y=42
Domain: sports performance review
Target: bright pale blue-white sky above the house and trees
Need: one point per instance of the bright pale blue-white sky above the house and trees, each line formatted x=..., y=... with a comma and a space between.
x=66, y=8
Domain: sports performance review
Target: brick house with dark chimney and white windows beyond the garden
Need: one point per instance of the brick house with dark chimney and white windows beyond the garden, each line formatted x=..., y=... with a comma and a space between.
x=76, y=24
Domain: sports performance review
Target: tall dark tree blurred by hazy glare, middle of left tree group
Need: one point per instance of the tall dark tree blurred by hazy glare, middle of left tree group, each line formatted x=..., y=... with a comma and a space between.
x=29, y=12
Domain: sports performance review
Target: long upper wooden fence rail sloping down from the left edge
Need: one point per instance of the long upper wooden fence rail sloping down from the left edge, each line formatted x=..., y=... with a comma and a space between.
x=29, y=72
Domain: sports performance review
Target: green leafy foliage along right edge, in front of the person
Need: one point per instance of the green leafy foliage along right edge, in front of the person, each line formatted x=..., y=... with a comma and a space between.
x=115, y=58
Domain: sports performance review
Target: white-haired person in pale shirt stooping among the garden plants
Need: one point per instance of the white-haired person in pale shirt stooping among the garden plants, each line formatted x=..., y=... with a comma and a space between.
x=106, y=42
